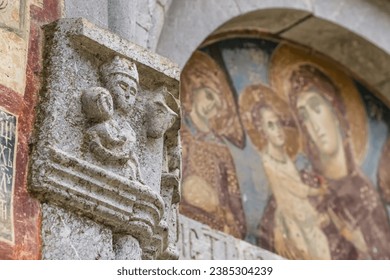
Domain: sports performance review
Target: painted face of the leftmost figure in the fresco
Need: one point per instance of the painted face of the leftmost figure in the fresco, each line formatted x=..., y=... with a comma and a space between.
x=206, y=103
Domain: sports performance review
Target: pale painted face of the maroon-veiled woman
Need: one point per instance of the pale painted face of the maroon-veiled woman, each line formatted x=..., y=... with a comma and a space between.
x=320, y=121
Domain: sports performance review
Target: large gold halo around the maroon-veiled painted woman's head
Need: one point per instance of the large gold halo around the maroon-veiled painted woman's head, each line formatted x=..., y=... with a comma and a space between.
x=286, y=59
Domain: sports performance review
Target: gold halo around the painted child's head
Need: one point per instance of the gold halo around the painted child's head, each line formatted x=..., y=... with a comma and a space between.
x=259, y=94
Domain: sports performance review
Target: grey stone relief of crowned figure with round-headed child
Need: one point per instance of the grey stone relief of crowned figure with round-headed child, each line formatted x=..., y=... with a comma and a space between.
x=105, y=108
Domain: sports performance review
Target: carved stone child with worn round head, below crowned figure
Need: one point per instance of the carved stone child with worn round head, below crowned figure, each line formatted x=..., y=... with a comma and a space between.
x=108, y=141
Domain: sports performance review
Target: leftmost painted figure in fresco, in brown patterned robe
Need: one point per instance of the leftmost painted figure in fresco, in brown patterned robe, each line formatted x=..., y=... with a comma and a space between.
x=210, y=190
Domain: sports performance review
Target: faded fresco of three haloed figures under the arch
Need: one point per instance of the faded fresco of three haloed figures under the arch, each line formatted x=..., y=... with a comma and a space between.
x=283, y=149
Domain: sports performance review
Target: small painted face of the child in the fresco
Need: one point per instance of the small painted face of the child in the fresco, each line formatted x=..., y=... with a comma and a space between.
x=272, y=127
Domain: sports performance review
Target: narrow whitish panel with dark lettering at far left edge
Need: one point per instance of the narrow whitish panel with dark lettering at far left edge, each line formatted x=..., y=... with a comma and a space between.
x=7, y=166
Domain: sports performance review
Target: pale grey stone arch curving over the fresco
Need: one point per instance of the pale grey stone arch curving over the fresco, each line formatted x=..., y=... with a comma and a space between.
x=350, y=32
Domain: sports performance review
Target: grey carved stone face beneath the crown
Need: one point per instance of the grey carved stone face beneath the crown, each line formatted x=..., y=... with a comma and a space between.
x=123, y=90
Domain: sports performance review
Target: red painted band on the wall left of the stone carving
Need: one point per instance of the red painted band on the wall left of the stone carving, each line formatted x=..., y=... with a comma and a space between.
x=27, y=216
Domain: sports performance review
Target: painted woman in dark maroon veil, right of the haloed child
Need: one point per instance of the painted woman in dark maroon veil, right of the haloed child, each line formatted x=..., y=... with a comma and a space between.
x=352, y=202
